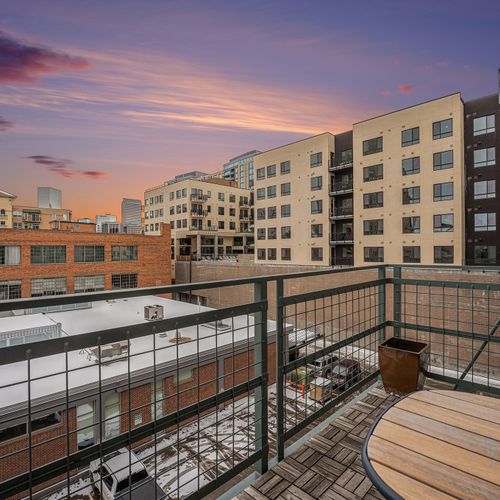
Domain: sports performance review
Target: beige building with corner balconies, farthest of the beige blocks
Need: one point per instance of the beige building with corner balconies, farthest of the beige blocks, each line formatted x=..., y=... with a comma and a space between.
x=209, y=216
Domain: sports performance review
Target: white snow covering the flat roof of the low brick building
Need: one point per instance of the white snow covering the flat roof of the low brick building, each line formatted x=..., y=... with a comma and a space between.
x=83, y=369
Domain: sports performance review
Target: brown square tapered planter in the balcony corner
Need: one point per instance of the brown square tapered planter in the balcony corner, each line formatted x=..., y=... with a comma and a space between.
x=402, y=364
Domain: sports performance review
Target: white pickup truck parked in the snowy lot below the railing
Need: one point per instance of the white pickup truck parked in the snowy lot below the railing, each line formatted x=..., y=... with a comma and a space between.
x=121, y=475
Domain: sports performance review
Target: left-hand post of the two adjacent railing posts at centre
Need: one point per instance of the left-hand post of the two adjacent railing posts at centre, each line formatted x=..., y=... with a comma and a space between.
x=260, y=370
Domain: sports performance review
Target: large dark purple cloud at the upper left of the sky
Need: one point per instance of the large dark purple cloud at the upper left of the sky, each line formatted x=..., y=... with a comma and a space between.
x=23, y=63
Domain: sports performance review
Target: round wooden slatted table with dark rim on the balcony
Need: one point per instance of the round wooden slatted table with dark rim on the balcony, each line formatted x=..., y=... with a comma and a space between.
x=436, y=444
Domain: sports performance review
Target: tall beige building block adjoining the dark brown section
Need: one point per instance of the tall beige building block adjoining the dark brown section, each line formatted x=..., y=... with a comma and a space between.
x=409, y=185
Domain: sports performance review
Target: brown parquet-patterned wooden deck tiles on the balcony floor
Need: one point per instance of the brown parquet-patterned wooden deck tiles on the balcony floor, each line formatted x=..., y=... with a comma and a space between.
x=329, y=465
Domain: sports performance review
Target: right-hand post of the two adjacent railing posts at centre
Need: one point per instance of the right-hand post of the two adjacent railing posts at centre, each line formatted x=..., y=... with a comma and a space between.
x=281, y=345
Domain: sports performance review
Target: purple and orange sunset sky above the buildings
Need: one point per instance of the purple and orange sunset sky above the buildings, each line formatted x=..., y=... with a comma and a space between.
x=104, y=98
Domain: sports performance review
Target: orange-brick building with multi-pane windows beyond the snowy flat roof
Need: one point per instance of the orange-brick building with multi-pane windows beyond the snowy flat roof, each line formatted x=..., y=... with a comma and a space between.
x=56, y=262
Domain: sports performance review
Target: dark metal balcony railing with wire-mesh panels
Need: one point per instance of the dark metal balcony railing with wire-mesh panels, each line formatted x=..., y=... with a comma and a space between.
x=193, y=390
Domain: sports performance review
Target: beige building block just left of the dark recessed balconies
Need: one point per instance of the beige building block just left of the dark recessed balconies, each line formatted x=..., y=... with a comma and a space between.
x=292, y=202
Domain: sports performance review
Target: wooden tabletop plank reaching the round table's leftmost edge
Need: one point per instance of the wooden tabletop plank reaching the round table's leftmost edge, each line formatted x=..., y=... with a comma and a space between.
x=435, y=474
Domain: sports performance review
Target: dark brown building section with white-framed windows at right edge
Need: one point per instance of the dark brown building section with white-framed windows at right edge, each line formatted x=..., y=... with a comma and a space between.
x=482, y=144
